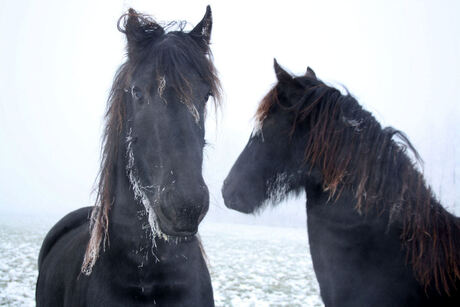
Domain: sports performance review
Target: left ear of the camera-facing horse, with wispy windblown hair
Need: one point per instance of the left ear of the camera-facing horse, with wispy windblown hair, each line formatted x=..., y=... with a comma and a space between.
x=139, y=30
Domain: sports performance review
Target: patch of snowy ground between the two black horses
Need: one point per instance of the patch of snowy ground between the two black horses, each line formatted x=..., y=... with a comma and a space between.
x=260, y=266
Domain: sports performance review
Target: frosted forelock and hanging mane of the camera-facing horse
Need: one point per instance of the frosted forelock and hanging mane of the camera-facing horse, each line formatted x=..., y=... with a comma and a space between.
x=168, y=54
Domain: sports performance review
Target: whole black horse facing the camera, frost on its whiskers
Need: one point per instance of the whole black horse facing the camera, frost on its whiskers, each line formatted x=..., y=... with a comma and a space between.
x=137, y=246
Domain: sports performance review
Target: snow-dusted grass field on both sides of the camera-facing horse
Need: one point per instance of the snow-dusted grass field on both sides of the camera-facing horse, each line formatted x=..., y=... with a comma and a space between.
x=250, y=265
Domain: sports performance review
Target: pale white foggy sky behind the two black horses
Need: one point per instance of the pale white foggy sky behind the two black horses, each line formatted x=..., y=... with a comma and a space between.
x=57, y=58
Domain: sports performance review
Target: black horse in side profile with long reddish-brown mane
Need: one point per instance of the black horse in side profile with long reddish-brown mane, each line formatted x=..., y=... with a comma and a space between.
x=377, y=235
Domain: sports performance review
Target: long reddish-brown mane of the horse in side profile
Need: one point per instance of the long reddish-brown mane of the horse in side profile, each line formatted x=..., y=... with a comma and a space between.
x=354, y=152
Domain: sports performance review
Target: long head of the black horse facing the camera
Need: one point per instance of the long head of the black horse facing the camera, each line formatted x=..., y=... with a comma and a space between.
x=166, y=92
